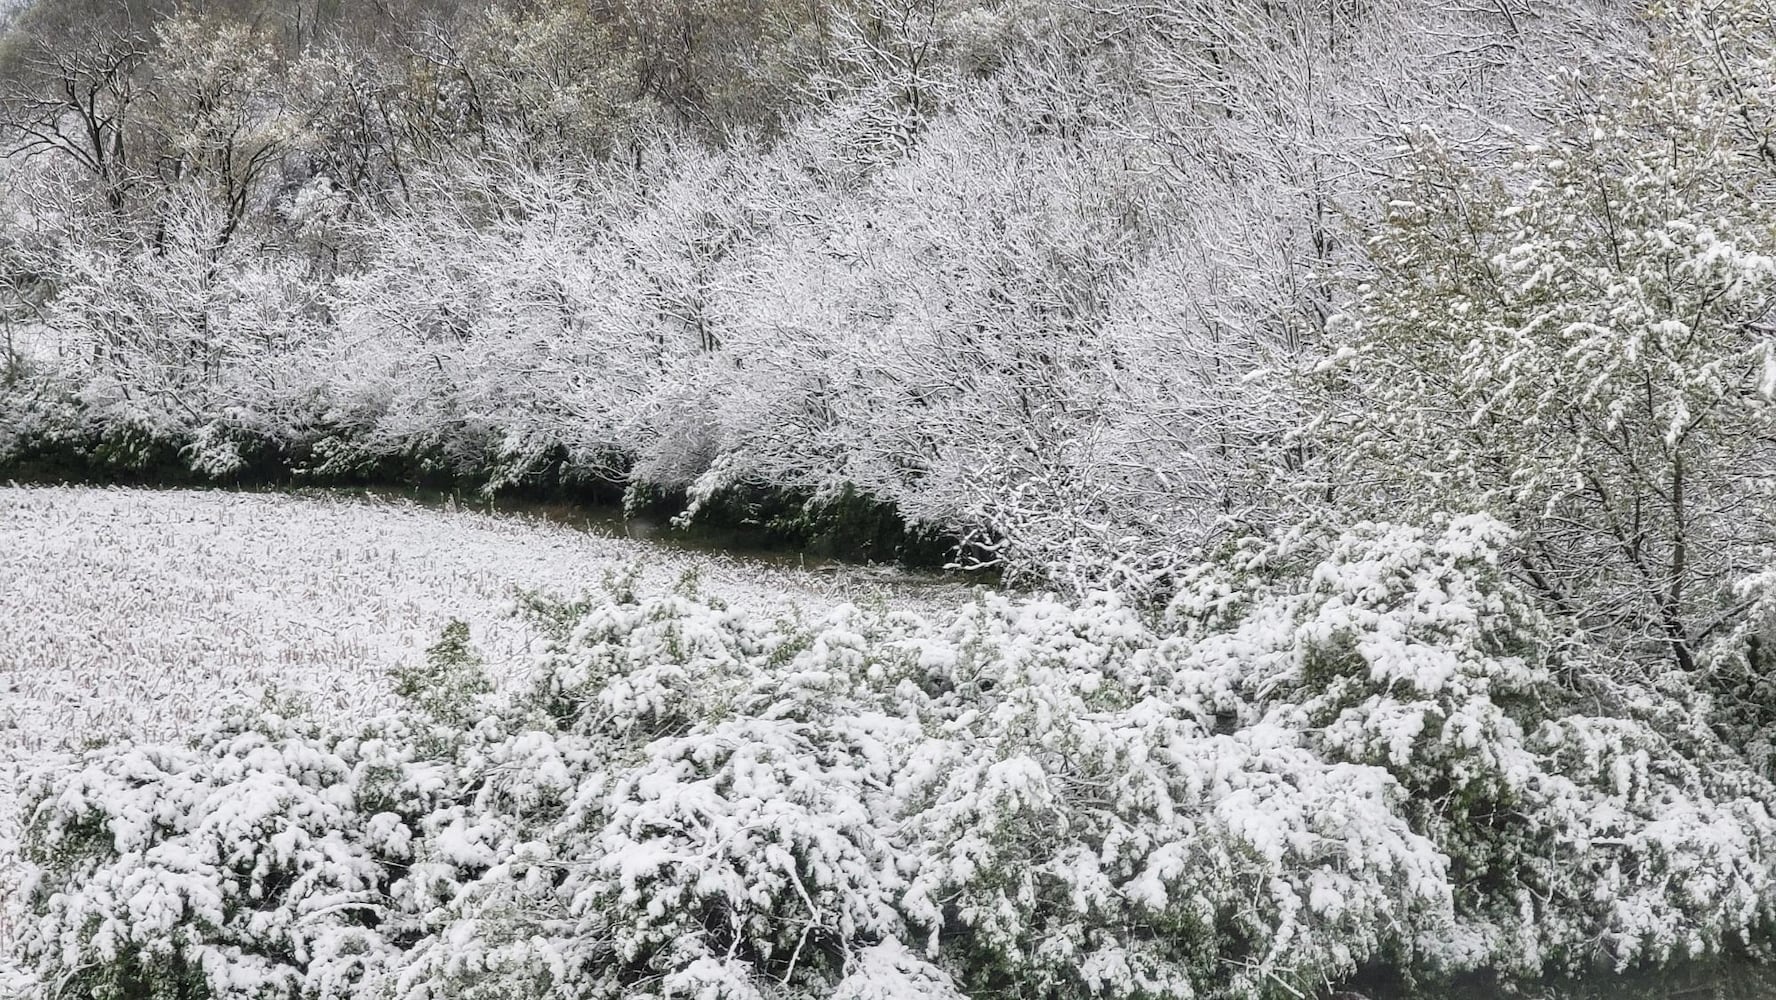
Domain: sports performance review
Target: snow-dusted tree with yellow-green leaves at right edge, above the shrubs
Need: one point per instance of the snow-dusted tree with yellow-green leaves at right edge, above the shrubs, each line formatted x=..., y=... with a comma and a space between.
x=1583, y=347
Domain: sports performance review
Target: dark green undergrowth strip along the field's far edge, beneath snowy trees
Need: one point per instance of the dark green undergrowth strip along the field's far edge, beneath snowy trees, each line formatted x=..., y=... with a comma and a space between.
x=51, y=434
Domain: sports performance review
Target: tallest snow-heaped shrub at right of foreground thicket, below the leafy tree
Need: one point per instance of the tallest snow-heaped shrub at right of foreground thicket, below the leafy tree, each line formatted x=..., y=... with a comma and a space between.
x=1589, y=818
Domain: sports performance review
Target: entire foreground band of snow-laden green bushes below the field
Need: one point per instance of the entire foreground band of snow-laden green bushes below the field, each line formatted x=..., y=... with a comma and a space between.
x=1331, y=758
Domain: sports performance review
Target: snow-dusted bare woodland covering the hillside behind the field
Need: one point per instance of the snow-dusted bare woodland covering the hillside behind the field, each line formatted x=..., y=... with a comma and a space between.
x=1038, y=278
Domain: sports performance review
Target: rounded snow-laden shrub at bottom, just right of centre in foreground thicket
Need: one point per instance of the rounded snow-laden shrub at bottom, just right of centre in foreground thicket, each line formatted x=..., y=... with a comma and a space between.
x=1086, y=837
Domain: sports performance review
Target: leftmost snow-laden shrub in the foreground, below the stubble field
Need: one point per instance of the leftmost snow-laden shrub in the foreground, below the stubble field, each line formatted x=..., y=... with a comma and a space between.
x=253, y=862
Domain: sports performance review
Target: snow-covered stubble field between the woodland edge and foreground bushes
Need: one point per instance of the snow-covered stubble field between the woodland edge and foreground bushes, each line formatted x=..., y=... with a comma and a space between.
x=139, y=612
